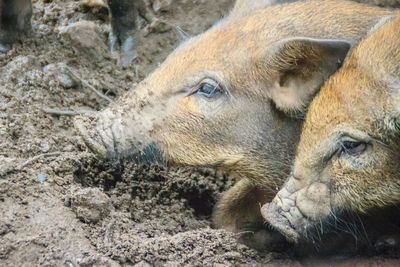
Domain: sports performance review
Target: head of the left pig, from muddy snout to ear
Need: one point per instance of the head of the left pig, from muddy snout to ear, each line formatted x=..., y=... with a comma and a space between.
x=220, y=99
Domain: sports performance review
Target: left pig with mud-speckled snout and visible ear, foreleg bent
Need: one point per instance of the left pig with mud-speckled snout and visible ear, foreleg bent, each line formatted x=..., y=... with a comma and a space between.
x=233, y=97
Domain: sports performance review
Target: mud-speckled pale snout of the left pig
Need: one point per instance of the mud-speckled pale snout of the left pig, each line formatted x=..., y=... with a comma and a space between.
x=116, y=140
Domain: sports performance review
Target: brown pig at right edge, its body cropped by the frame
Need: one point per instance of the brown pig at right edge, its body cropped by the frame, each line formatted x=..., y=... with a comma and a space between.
x=348, y=157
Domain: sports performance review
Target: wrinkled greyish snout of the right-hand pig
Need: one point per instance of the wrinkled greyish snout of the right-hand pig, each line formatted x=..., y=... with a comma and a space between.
x=297, y=211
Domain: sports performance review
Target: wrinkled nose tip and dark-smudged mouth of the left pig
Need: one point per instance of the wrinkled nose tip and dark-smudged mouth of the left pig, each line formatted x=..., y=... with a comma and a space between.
x=103, y=141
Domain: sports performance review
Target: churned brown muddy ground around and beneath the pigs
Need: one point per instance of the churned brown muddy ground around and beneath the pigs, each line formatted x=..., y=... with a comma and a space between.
x=60, y=206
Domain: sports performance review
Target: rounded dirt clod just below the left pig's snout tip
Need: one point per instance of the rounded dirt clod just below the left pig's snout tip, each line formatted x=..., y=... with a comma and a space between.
x=90, y=205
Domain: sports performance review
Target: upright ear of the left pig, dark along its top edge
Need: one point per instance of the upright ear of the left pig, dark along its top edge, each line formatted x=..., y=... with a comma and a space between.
x=298, y=67
